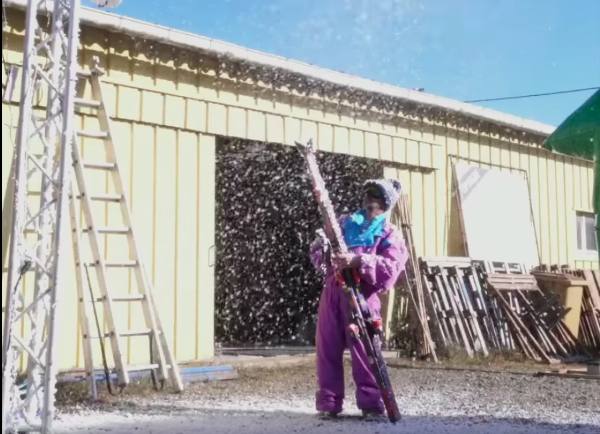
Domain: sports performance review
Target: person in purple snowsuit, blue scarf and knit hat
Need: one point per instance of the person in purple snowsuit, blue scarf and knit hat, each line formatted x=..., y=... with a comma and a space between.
x=378, y=253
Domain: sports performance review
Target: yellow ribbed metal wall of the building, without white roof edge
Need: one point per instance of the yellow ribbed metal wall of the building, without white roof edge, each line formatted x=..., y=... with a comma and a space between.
x=166, y=115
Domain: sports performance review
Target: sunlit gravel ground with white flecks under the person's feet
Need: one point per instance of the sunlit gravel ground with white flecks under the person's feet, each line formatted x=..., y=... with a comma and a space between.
x=281, y=400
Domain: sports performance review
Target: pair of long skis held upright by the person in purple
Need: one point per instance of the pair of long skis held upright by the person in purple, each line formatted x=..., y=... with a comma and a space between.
x=368, y=328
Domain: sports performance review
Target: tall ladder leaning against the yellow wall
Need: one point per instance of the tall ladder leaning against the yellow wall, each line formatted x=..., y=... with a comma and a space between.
x=162, y=363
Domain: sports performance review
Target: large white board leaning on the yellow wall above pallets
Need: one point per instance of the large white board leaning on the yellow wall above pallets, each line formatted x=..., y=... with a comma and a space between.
x=496, y=215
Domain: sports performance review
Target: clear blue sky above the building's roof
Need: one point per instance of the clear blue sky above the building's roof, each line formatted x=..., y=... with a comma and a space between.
x=462, y=49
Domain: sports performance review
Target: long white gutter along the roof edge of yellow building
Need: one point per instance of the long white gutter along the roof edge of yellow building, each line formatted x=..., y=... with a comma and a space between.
x=169, y=36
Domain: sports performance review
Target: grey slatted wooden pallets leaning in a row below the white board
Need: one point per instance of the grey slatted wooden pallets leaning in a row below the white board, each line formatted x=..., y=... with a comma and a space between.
x=483, y=306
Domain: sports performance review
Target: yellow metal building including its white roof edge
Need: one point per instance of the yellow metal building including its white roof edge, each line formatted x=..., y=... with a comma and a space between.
x=172, y=93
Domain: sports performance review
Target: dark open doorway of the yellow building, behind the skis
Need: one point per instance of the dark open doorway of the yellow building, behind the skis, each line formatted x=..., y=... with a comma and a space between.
x=266, y=289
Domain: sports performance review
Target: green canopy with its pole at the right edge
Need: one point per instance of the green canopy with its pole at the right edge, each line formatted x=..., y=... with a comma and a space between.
x=579, y=135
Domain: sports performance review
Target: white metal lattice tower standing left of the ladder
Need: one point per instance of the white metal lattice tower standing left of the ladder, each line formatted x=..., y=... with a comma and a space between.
x=37, y=197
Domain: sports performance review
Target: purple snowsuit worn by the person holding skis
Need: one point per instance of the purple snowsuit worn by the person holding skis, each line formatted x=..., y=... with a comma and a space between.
x=380, y=266
